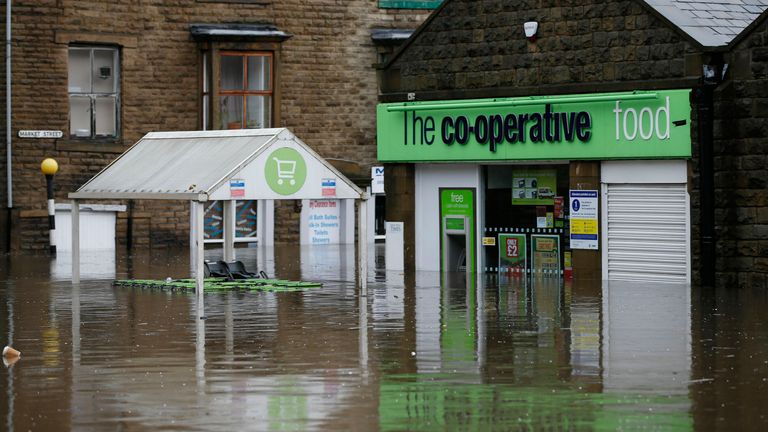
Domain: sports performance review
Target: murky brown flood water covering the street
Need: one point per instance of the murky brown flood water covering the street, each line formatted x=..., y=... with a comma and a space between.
x=417, y=352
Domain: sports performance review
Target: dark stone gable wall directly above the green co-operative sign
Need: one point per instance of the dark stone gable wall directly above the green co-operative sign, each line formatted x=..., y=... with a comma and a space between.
x=581, y=45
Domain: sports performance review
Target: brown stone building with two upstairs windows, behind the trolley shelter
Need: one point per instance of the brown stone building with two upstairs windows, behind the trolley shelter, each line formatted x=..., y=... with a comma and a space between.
x=106, y=73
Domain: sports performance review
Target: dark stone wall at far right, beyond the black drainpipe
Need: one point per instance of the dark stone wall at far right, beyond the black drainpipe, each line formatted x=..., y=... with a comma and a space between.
x=741, y=153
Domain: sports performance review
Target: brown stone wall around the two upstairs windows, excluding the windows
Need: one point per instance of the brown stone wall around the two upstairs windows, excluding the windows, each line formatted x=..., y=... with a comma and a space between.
x=328, y=89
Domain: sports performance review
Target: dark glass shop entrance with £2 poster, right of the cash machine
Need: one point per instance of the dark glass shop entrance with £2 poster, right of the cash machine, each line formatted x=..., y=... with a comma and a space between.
x=526, y=216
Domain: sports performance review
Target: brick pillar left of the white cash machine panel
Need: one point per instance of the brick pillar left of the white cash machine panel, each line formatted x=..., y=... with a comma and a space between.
x=400, y=186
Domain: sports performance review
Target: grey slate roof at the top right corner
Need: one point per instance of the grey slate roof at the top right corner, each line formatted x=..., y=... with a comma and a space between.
x=711, y=23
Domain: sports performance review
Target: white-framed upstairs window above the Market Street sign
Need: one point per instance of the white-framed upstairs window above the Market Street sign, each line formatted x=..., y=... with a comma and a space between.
x=94, y=92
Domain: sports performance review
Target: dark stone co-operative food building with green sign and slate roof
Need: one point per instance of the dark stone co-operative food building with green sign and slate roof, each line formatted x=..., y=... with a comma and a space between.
x=669, y=152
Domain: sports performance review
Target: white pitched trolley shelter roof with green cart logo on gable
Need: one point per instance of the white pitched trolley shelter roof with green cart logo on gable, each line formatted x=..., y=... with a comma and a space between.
x=242, y=164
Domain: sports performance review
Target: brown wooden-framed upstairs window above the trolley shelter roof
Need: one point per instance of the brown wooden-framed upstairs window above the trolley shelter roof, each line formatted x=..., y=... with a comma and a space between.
x=245, y=90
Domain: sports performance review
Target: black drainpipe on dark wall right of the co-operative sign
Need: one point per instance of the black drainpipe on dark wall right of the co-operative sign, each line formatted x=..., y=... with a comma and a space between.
x=712, y=76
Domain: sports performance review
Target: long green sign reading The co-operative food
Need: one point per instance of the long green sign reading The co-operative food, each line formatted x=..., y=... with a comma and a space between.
x=653, y=124
